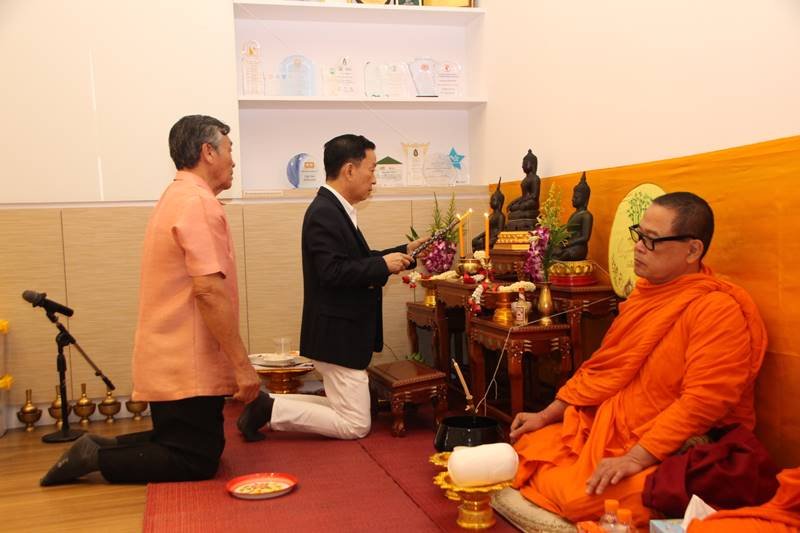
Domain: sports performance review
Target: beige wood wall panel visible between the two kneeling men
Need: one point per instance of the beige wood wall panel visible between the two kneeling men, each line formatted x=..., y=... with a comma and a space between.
x=274, y=273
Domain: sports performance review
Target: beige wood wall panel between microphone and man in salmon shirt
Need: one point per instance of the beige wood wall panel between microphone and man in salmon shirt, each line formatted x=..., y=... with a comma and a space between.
x=103, y=250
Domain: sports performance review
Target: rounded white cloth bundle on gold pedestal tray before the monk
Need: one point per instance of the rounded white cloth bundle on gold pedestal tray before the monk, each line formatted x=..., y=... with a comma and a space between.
x=482, y=465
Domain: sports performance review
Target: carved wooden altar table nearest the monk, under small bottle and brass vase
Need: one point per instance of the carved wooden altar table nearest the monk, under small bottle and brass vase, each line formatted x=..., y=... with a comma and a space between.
x=536, y=340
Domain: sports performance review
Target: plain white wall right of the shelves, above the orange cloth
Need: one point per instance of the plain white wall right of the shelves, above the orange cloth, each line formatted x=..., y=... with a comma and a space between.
x=599, y=84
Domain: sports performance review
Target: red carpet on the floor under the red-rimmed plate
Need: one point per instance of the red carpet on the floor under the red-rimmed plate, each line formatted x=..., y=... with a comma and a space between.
x=380, y=483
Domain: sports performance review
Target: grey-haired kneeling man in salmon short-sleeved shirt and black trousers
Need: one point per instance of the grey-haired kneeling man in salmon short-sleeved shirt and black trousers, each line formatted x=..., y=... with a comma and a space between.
x=187, y=354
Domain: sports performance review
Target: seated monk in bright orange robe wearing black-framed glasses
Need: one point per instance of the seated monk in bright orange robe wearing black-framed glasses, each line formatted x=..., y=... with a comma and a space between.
x=681, y=358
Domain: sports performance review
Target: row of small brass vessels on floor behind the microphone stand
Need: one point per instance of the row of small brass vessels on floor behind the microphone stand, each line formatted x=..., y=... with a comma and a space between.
x=29, y=414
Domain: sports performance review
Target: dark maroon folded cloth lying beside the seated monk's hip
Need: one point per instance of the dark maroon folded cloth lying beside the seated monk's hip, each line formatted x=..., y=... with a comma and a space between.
x=736, y=471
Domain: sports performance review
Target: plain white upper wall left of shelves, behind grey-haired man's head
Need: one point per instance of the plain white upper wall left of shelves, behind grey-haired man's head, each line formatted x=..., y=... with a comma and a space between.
x=91, y=88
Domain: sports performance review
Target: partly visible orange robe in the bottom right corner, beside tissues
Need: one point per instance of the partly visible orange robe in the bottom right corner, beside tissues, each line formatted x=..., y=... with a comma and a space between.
x=779, y=515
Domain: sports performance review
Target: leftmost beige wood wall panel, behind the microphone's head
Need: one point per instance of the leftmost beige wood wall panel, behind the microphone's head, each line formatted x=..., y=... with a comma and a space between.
x=31, y=255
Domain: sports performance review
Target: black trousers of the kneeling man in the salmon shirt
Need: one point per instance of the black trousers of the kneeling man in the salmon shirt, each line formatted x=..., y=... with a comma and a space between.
x=185, y=444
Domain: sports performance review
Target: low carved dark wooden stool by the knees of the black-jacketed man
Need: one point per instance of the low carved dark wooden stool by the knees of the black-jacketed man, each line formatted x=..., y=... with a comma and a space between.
x=405, y=382
